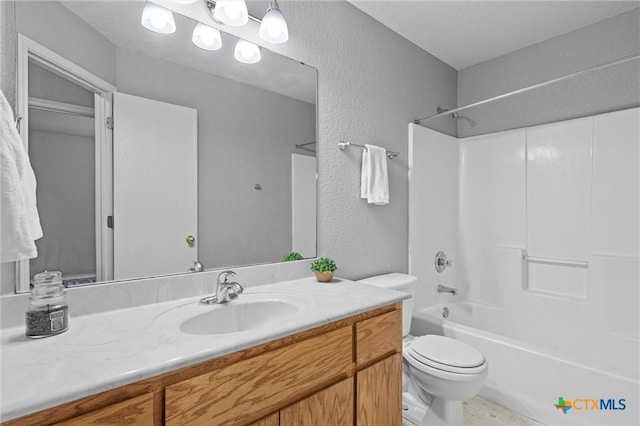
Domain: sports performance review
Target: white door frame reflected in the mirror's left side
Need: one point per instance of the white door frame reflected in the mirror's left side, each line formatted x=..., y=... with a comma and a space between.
x=103, y=98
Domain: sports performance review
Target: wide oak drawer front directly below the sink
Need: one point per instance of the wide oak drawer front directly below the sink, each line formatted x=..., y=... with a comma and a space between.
x=249, y=389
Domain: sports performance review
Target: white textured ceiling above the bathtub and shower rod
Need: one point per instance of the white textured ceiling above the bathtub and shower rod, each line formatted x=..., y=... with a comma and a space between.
x=465, y=33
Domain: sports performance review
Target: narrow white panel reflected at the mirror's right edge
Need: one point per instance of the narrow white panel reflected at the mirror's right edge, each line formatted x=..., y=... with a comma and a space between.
x=303, y=204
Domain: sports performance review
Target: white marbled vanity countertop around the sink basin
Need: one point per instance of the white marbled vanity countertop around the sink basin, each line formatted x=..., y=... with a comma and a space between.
x=103, y=351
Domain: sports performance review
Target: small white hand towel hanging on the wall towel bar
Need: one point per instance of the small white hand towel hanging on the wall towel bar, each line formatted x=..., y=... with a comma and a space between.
x=374, y=182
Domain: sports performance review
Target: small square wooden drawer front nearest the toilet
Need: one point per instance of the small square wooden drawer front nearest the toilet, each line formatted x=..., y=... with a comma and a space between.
x=378, y=336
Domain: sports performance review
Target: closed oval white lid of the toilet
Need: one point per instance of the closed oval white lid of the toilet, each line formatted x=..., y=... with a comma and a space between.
x=446, y=354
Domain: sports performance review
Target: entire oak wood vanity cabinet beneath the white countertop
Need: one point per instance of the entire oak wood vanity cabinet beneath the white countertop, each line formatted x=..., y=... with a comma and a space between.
x=348, y=372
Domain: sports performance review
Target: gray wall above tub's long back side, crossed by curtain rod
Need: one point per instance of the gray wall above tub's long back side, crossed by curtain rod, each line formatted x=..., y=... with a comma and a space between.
x=611, y=89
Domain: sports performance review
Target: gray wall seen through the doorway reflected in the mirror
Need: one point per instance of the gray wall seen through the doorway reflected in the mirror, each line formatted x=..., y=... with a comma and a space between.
x=64, y=165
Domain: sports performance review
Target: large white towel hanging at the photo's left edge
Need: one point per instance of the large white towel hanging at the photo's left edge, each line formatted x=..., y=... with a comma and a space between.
x=20, y=223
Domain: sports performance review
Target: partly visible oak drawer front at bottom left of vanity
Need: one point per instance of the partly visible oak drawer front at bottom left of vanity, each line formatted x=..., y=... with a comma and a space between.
x=133, y=411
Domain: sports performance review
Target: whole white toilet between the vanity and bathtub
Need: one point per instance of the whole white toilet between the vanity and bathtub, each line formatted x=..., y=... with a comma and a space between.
x=438, y=372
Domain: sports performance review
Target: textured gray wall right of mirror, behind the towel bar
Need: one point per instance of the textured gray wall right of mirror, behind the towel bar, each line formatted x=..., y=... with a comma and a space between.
x=371, y=83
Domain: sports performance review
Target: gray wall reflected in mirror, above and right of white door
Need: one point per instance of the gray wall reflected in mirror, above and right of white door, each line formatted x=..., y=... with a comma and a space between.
x=245, y=137
